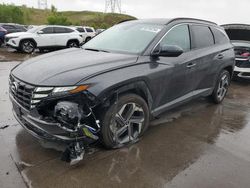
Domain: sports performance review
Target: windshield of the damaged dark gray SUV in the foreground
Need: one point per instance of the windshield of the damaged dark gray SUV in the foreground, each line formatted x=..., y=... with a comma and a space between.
x=127, y=37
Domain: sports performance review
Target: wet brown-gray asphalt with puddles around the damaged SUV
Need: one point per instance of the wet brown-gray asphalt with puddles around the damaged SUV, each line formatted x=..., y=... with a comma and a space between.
x=196, y=145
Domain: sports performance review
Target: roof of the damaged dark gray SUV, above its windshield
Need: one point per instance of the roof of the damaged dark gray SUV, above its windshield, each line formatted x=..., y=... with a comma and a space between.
x=165, y=21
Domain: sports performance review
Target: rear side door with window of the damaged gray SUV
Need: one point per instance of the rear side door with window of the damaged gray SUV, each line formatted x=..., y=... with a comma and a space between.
x=204, y=54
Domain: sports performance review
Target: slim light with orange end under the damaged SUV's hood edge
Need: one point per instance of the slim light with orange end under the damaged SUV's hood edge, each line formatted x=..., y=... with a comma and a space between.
x=69, y=90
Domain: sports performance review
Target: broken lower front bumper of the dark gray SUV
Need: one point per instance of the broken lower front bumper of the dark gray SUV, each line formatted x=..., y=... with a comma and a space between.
x=52, y=131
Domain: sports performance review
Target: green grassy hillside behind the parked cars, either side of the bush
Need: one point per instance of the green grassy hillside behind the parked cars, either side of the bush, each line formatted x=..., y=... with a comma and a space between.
x=95, y=19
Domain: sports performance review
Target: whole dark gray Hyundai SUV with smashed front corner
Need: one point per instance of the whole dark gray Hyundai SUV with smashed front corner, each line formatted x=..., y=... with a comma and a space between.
x=109, y=89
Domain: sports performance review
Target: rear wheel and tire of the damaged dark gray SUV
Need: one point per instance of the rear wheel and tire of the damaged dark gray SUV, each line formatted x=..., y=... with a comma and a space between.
x=221, y=87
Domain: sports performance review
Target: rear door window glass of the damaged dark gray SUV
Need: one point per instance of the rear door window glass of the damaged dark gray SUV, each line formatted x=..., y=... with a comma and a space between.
x=201, y=36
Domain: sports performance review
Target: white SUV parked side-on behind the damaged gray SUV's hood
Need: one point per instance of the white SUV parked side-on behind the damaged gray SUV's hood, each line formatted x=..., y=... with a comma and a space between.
x=44, y=37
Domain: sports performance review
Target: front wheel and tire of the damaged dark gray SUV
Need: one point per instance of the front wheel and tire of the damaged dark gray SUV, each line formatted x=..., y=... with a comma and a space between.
x=124, y=121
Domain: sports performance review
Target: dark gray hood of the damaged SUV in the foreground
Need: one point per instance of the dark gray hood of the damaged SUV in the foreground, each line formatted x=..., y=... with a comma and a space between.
x=68, y=67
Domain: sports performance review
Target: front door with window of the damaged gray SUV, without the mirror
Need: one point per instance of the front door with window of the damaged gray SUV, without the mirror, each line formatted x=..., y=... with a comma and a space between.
x=180, y=81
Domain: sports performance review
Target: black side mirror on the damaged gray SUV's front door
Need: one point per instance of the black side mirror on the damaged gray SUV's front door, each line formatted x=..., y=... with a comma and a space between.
x=168, y=51
